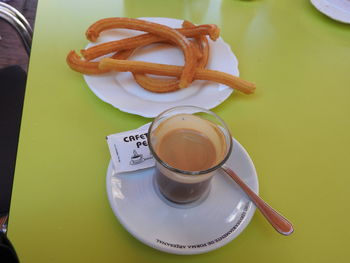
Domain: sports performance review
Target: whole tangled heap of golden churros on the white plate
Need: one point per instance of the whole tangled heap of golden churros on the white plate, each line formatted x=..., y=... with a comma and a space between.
x=196, y=54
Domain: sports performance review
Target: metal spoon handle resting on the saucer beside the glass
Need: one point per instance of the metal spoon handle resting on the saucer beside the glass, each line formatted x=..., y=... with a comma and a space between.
x=281, y=224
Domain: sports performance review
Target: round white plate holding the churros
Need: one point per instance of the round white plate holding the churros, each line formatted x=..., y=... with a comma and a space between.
x=121, y=91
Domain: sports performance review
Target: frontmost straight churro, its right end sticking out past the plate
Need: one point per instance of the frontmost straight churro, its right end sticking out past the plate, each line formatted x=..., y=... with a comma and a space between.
x=175, y=71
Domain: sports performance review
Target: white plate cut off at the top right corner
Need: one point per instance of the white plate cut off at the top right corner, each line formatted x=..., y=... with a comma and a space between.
x=336, y=9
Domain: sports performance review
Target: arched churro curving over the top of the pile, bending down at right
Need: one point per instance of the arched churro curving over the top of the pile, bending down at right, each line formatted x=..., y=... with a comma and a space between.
x=157, y=29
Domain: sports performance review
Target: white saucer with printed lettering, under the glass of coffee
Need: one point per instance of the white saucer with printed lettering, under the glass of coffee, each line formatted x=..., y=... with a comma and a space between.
x=184, y=229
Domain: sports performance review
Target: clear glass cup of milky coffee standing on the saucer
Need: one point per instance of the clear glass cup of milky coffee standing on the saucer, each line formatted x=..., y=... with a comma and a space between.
x=189, y=144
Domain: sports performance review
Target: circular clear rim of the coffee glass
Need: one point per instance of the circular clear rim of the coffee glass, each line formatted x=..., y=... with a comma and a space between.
x=184, y=172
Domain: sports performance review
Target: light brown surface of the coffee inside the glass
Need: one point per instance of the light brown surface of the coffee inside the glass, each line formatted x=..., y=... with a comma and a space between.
x=187, y=149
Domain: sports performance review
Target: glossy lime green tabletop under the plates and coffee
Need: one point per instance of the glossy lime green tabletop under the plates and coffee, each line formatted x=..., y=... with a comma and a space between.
x=296, y=128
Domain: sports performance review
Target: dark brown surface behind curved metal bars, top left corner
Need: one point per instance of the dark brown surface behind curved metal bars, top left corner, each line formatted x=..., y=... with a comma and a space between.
x=12, y=51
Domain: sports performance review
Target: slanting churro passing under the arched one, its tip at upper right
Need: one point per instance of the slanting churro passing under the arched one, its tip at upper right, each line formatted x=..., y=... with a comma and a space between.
x=146, y=39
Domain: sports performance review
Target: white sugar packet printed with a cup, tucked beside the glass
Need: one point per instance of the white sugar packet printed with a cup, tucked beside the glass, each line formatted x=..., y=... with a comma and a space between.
x=129, y=150
